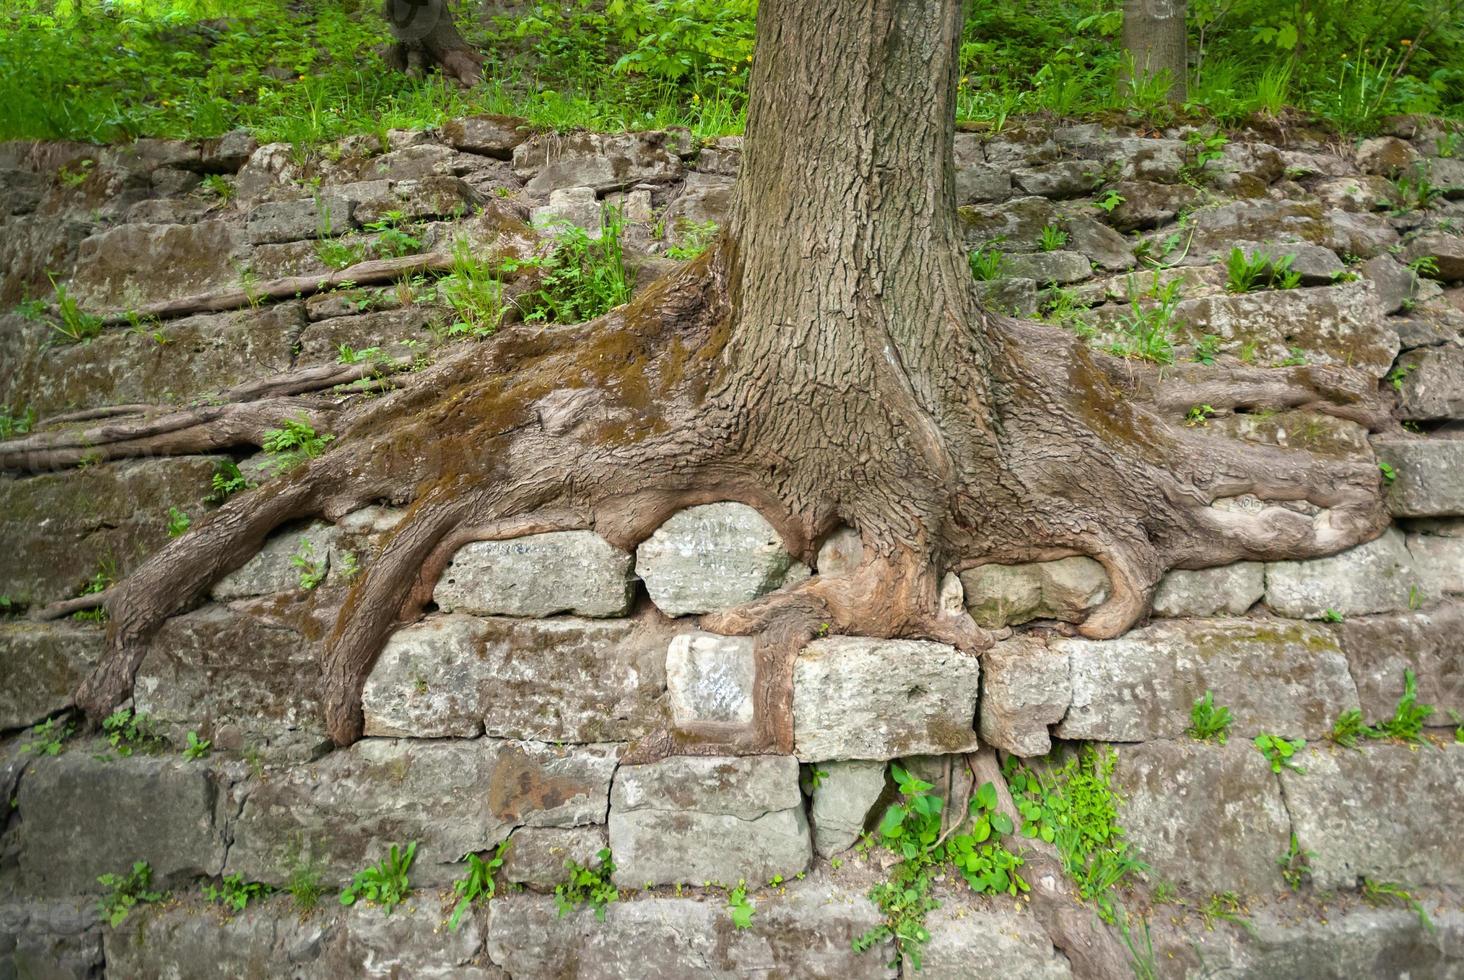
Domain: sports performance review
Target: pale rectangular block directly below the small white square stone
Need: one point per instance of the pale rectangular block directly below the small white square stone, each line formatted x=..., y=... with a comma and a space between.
x=705, y=818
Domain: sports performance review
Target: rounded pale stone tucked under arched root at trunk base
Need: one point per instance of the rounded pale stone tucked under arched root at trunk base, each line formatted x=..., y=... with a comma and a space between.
x=712, y=557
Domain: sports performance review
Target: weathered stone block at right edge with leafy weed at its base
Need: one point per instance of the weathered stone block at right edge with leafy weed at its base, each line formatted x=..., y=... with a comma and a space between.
x=1381, y=648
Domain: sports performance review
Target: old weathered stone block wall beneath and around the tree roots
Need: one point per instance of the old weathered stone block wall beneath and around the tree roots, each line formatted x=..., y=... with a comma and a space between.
x=504, y=716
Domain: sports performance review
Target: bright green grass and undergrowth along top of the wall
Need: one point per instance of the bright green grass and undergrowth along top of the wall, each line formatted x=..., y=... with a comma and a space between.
x=308, y=71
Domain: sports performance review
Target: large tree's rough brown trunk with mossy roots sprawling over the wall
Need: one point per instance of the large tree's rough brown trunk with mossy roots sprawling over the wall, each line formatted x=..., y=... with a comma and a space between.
x=826, y=363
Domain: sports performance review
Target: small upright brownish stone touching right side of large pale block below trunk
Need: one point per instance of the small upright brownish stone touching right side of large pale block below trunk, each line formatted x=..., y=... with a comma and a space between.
x=1026, y=688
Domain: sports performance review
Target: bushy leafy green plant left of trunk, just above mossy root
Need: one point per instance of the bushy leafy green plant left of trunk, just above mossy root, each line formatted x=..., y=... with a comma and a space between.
x=582, y=278
